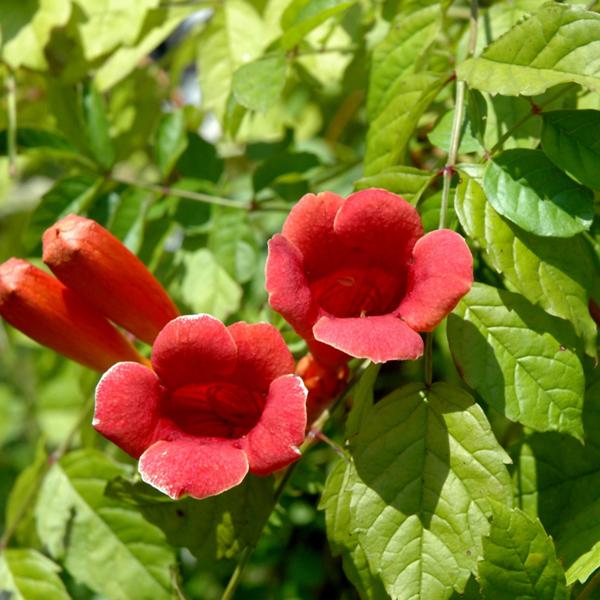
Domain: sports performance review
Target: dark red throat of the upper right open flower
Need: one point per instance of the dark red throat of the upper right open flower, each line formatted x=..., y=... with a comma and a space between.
x=358, y=291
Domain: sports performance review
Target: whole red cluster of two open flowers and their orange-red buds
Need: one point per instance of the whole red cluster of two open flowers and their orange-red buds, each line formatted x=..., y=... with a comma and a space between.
x=355, y=277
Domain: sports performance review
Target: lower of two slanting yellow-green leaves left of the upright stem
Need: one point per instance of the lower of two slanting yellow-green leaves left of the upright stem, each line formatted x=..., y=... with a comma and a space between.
x=389, y=133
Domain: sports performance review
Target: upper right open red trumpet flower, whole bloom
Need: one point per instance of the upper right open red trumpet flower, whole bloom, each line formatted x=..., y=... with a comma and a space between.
x=357, y=277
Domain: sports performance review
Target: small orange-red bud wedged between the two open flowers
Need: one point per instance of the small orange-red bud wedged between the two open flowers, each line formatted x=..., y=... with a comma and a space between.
x=323, y=384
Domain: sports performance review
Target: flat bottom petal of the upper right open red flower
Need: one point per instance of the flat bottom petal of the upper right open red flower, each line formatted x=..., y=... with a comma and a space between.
x=378, y=338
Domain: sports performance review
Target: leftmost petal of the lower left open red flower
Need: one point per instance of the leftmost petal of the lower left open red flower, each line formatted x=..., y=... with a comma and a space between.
x=127, y=406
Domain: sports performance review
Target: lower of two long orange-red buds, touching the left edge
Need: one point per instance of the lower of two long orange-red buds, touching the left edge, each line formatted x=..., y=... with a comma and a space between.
x=55, y=316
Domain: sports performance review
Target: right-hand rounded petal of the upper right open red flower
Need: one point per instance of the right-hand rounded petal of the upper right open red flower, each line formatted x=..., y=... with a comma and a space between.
x=441, y=274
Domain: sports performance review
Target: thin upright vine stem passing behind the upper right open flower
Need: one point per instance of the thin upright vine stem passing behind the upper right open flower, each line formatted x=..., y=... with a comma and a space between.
x=449, y=168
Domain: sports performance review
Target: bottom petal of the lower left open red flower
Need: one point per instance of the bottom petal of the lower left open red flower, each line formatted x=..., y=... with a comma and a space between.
x=188, y=466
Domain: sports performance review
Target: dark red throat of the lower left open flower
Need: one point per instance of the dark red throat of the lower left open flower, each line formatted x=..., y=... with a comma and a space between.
x=222, y=410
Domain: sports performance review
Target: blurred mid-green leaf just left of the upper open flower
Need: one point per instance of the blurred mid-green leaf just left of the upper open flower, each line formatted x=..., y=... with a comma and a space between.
x=232, y=243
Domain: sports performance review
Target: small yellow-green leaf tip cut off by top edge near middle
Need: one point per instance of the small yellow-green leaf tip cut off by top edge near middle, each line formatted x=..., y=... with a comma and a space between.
x=302, y=16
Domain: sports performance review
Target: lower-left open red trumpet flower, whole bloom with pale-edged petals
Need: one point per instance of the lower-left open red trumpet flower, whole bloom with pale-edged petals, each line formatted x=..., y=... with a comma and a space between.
x=219, y=402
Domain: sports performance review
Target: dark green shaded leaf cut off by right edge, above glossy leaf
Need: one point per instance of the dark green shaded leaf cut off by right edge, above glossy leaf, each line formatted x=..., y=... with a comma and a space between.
x=571, y=140
